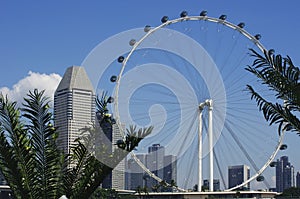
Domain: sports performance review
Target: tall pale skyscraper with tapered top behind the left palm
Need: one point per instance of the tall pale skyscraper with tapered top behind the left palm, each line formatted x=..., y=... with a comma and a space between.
x=74, y=106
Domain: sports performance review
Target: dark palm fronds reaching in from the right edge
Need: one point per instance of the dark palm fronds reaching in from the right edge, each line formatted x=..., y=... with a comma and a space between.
x=281, y=77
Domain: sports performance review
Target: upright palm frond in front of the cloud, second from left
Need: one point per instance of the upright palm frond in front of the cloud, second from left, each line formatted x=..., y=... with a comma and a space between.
x=43, y=137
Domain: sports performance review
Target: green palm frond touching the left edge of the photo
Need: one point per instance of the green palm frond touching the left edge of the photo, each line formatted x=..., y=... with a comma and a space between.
x=15, y=151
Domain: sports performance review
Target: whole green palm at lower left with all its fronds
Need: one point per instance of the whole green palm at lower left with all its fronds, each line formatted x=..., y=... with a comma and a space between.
x=33, y=165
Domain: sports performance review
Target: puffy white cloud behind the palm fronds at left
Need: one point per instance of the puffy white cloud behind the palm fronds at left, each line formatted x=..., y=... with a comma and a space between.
x=32, y=81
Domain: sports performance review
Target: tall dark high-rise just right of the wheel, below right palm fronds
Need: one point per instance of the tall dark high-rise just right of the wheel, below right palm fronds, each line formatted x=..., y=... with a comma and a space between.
x=284, y=174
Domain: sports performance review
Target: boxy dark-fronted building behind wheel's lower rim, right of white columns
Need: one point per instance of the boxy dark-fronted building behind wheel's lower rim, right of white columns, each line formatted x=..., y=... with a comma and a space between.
x=238, y=174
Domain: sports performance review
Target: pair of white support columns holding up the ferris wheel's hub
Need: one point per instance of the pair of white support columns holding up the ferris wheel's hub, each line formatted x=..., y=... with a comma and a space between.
x=209, y=104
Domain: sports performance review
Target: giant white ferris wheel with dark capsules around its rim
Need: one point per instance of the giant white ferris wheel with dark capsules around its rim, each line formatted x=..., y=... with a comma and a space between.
x=186, y=77
